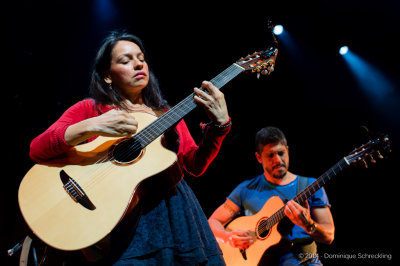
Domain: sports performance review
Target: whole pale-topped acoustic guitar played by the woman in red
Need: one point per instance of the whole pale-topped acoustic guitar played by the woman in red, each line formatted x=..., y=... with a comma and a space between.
x=76, y=200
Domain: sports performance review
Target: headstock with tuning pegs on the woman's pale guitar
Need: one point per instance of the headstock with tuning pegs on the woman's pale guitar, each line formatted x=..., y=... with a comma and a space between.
x=262, y=62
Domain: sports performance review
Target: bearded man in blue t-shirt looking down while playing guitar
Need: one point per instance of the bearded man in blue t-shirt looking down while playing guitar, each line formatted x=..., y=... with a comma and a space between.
x=312, y=220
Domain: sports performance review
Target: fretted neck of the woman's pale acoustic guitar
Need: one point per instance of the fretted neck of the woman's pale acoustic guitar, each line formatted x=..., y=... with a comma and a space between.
x=176, y=113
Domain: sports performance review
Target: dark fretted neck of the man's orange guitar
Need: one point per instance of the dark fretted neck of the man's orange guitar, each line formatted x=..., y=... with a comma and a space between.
x=309, y=191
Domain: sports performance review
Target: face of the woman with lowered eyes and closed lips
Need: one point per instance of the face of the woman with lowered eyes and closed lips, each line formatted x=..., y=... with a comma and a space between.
x=129, y=72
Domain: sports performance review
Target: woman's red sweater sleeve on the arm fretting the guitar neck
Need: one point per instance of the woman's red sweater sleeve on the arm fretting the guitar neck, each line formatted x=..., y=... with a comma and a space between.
x=194, y=158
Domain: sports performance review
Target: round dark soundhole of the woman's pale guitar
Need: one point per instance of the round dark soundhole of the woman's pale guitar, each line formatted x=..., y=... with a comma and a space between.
x=127, y=151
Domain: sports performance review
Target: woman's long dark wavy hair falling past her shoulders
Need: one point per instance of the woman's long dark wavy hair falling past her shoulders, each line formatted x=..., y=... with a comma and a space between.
x=100, y=91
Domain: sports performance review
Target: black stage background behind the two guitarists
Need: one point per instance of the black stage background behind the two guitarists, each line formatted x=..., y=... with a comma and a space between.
x=312, y=95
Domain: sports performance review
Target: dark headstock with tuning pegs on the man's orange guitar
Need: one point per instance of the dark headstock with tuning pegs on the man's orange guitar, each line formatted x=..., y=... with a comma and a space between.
x=369, y=151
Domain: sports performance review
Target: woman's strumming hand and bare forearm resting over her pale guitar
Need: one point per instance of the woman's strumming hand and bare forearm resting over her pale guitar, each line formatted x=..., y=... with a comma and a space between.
x=114, y=123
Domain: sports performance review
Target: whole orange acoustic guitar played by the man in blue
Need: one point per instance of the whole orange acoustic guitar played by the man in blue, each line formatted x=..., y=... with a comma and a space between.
x=263, y=225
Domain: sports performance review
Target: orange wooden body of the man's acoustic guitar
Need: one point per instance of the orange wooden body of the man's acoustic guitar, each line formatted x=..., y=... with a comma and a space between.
x=233, y=256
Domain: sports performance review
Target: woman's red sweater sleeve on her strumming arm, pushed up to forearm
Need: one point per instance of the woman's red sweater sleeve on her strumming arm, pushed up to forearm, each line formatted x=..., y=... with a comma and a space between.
x=51, y=142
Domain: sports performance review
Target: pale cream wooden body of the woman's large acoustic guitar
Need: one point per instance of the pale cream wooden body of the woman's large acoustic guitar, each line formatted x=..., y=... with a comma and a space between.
x=113, y=189
